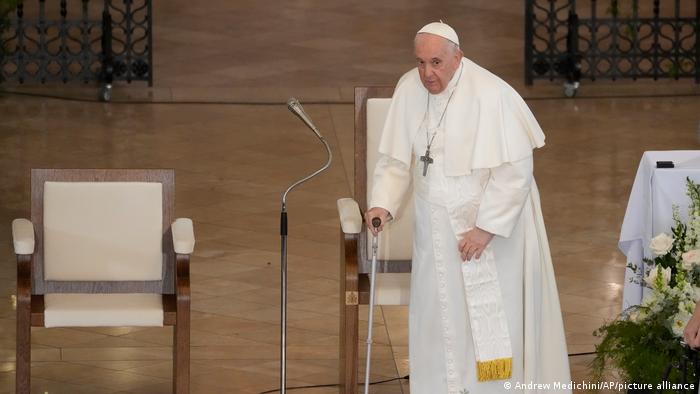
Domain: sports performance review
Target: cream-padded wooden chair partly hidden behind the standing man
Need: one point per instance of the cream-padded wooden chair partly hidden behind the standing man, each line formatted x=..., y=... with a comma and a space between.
x=392, y=286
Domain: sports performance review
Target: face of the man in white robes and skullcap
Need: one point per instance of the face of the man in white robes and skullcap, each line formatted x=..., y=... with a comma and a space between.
x=438, y=59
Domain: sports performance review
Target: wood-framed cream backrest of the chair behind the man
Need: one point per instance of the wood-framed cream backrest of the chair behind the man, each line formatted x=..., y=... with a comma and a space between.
x=371, y=106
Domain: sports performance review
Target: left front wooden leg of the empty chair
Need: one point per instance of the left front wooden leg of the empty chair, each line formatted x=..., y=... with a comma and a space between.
x=24, y=325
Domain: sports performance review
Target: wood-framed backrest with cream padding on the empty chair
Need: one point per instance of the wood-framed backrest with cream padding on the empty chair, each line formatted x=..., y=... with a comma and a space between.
x=102, y=231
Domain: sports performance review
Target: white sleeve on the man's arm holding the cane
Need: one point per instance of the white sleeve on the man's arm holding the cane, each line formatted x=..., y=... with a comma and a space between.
x=389, y=184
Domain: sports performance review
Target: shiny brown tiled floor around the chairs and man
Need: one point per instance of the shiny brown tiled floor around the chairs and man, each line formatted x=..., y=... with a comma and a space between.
x=235, y=148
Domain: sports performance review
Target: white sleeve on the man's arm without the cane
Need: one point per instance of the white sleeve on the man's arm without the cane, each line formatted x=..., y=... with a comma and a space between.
x=504, y=197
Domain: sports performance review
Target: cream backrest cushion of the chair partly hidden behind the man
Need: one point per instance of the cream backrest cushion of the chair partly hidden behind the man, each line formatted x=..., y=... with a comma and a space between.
x=396, y=241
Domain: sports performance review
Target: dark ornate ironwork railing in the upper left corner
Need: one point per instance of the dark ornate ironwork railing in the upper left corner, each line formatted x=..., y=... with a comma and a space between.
x=108, y=41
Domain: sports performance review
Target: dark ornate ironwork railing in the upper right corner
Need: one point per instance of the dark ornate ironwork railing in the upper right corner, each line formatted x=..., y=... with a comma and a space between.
x=612, y=39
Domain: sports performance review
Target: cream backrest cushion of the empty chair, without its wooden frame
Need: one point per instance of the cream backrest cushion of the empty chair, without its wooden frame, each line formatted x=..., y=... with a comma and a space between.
x=103, y=231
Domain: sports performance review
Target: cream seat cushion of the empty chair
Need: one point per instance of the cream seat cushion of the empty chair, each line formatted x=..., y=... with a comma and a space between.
x=103, y=310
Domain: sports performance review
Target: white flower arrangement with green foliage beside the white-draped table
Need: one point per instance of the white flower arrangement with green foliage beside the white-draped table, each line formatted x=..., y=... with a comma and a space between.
x=646, y=339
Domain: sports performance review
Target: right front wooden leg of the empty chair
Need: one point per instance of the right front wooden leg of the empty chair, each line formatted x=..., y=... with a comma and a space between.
x=181, y=332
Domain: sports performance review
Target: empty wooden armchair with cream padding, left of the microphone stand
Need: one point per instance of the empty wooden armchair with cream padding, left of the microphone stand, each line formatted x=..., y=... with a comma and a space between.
x=103, y=249
